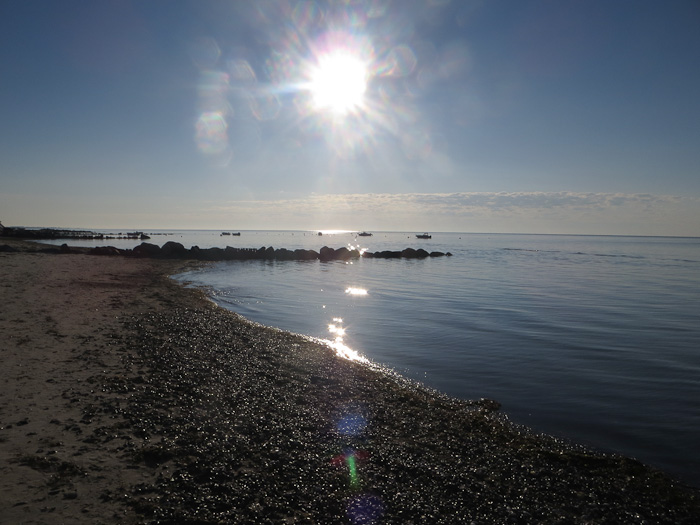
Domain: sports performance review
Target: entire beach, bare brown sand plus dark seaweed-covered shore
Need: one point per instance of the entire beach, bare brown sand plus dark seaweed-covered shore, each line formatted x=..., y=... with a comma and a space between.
x=126, y=398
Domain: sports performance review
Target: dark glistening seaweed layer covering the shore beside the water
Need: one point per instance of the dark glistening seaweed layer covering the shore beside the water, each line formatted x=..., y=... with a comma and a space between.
x=240, y=423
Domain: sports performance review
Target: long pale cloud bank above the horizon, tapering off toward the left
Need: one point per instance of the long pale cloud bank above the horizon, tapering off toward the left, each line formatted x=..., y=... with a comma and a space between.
x=532, y=212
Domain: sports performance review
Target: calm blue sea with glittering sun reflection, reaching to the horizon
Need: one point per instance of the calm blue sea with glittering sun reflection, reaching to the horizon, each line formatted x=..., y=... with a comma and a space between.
x=593, y=339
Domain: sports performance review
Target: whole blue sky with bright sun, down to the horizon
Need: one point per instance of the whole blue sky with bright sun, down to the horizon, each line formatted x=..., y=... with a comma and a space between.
x=561, y=116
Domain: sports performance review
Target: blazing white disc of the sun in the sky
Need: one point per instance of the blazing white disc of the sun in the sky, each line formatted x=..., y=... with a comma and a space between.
x=338, y=83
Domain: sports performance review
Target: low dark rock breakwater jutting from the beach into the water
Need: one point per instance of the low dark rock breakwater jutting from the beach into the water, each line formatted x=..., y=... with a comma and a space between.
x=175, y=250
